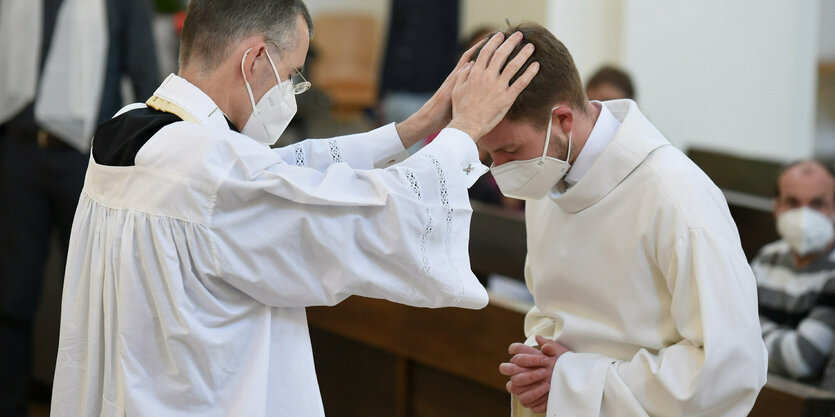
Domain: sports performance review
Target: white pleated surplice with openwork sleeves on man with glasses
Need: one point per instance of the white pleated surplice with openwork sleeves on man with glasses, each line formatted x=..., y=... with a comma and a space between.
x=188, y=273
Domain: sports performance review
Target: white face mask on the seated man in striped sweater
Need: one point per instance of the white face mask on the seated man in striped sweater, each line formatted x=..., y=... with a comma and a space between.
x=807, y=231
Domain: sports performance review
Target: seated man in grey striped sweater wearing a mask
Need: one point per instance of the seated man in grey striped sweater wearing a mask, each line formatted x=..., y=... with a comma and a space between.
x=795, y=274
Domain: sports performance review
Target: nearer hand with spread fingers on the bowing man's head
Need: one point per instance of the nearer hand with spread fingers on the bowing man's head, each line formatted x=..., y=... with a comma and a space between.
x=483, y=93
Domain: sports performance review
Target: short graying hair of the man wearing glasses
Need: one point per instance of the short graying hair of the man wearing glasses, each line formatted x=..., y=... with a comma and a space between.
x=213, y=26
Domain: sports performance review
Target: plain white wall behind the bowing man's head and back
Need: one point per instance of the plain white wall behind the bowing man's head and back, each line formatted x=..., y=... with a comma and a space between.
x=738, y=77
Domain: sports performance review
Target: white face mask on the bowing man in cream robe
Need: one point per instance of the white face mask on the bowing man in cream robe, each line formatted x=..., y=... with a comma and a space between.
x=533, y=178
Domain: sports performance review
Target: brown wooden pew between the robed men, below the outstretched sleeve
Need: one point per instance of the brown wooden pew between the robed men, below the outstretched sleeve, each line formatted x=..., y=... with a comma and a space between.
x=414, y=362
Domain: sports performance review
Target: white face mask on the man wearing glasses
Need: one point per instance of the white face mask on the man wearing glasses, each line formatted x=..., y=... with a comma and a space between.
x=273, y=112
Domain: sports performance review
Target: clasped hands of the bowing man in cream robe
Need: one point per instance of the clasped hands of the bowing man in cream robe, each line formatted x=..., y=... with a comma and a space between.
x=530, y=371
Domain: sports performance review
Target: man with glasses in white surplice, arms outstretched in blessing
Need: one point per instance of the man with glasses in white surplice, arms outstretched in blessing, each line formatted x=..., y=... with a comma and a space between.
x=195, y=248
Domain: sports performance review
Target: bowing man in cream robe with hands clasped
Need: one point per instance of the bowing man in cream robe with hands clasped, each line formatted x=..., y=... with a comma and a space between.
x=644, y=302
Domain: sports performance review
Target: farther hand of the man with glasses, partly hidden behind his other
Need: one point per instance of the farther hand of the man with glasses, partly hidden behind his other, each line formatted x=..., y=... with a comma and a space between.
x=436, y=113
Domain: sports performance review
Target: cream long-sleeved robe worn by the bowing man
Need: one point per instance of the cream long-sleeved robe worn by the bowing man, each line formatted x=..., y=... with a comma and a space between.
x=638, y=269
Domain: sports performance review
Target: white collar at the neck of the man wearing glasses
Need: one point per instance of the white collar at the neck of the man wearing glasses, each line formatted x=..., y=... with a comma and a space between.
x=192, y=100
